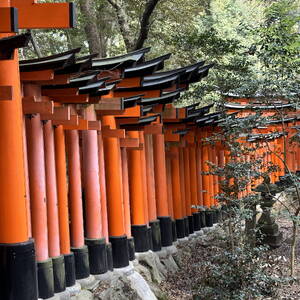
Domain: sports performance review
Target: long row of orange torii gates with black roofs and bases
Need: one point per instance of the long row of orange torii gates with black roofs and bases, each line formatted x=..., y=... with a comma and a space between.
x=95, y=161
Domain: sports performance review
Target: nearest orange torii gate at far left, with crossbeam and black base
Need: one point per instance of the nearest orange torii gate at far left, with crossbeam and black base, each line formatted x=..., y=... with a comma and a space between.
x=18, y=278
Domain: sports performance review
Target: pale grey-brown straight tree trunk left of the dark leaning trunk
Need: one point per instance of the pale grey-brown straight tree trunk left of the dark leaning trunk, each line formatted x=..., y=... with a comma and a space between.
x=91, y=28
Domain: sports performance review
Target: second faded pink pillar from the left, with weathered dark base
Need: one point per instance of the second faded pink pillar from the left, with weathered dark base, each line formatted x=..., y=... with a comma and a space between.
x=52, y=210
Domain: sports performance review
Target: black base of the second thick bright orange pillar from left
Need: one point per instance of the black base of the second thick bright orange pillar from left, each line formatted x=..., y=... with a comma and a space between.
x=119, y=245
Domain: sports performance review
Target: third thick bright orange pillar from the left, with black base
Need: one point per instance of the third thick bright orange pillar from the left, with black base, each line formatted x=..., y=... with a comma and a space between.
x=139, y=211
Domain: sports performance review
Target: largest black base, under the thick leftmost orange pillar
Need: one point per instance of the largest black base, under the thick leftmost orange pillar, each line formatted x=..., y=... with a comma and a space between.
x=18, y=272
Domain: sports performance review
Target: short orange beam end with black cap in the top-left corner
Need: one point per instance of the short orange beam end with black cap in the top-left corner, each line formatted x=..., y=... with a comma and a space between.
x=8, y=19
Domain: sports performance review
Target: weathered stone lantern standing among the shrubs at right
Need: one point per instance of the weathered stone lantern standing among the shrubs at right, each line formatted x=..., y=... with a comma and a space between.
x=268, y=230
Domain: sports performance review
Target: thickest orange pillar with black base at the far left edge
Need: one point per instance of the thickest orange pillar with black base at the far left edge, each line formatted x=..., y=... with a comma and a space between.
x=18, y=277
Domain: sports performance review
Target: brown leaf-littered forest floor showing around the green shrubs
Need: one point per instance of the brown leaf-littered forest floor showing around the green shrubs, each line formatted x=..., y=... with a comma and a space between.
x=183, y=284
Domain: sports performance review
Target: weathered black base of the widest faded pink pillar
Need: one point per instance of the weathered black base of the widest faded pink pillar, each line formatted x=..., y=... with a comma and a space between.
x=97, y=256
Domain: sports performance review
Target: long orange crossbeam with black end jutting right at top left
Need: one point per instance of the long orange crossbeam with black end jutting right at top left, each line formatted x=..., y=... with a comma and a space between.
x=33, y=15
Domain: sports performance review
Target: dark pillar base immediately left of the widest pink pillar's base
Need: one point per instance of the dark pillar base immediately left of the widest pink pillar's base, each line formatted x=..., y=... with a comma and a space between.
x=82, y=266
